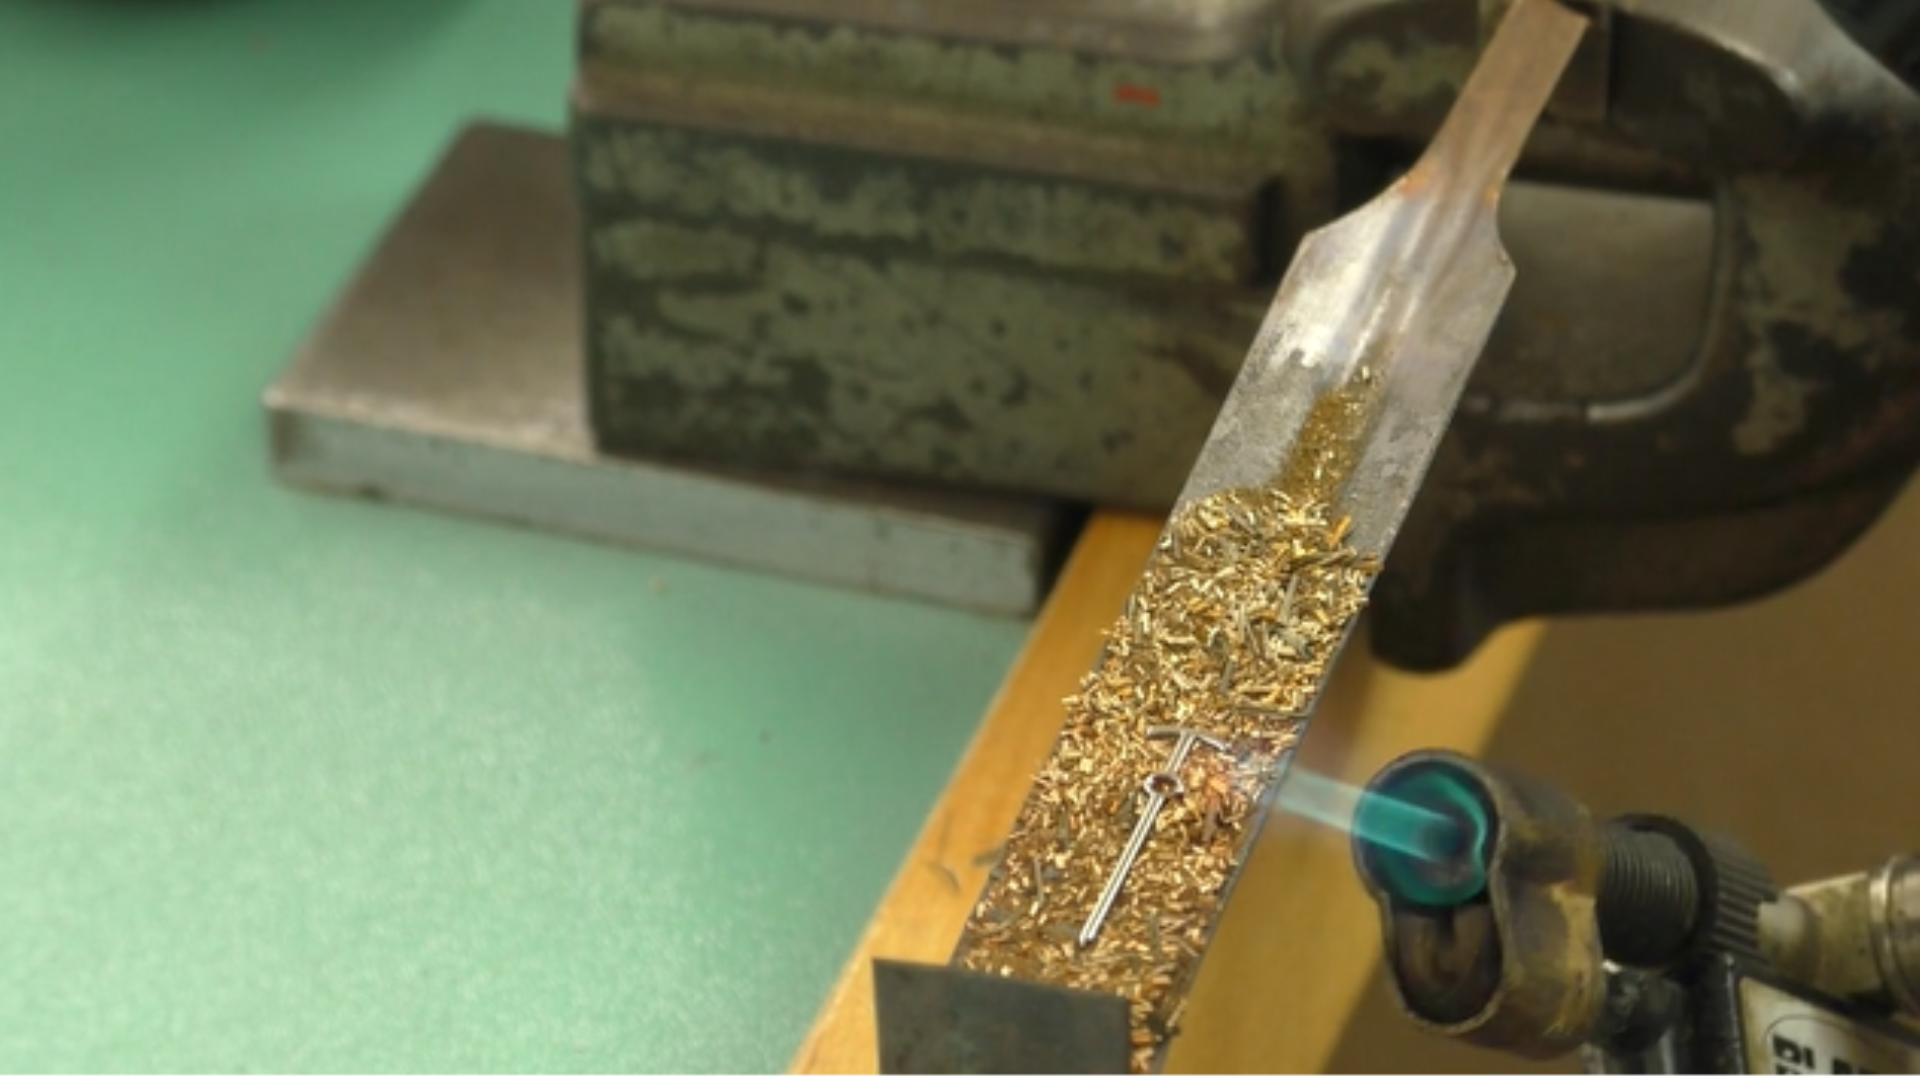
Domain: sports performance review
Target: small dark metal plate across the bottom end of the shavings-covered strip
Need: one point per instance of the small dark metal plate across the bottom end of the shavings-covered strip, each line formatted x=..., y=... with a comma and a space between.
x=940, y=1019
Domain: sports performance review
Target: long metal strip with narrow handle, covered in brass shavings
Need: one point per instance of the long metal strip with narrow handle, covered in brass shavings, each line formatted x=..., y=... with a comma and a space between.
x=1330, y=431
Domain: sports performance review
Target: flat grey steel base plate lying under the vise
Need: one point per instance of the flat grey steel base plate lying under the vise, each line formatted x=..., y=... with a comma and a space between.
x=450, y=376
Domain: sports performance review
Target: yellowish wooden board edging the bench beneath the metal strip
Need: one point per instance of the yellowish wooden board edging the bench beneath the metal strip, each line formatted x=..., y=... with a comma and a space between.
x=1299, y=939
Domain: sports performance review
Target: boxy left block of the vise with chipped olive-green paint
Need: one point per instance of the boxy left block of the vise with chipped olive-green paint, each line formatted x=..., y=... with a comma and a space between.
x=894, y=255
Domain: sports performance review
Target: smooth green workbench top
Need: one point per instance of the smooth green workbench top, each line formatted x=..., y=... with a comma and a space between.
x=293, y=783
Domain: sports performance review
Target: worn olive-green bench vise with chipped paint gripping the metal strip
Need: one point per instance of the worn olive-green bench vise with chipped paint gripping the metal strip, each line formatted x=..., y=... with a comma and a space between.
x=1652, y=428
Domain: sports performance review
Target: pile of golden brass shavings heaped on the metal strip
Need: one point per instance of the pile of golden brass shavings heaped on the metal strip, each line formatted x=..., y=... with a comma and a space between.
x=1228, y=635
